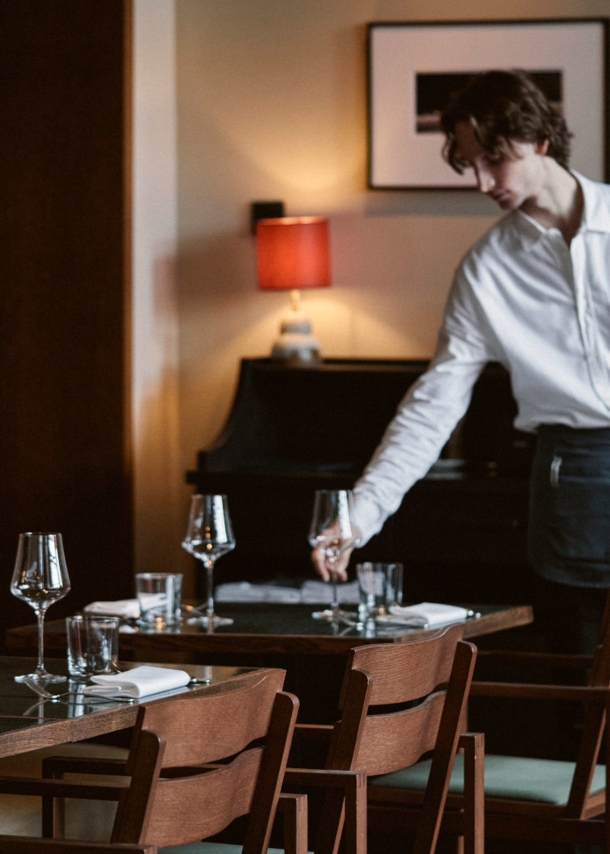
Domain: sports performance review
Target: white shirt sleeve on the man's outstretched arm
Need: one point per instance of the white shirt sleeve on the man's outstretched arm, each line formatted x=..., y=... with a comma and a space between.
x=427, y=414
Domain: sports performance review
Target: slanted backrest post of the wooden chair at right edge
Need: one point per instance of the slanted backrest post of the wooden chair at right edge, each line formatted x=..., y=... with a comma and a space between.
x=594, y=725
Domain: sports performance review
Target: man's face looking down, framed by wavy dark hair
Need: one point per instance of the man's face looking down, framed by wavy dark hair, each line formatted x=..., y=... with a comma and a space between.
x=511, y=179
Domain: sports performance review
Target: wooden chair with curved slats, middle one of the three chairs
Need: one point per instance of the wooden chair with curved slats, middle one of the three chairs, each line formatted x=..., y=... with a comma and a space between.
x=399, y=702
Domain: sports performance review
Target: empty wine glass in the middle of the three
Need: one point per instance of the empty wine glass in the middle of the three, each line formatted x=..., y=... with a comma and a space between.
x=209, y=536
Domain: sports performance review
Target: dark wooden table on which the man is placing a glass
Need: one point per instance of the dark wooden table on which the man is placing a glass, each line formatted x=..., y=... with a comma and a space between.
x=271, y=635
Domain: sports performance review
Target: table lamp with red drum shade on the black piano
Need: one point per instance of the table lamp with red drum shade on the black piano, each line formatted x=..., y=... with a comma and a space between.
x=292, y=253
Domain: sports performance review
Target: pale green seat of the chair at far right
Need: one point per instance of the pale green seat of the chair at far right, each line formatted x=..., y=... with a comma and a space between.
x=521, y=778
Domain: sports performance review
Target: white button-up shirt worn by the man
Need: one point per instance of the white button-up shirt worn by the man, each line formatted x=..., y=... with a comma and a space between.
x=524, y=298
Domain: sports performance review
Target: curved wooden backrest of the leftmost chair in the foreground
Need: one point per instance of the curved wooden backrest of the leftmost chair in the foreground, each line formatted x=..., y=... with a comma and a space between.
x=198, y=763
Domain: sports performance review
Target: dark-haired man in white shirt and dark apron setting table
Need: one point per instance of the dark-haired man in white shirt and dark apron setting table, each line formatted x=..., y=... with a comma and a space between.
x=533, y=294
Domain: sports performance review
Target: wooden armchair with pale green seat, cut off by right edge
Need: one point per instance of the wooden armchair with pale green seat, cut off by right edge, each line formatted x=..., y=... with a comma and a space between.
x=528, y=798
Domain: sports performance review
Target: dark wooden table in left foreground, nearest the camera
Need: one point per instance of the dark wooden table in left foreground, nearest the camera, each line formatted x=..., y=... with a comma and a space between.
x=28, y=722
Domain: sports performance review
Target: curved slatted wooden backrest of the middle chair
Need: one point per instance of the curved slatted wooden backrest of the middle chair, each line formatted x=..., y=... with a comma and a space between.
x=399, y=701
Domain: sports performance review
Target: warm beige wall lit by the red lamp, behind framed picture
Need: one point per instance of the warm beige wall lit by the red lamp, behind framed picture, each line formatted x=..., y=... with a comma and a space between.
x=271, y=105
